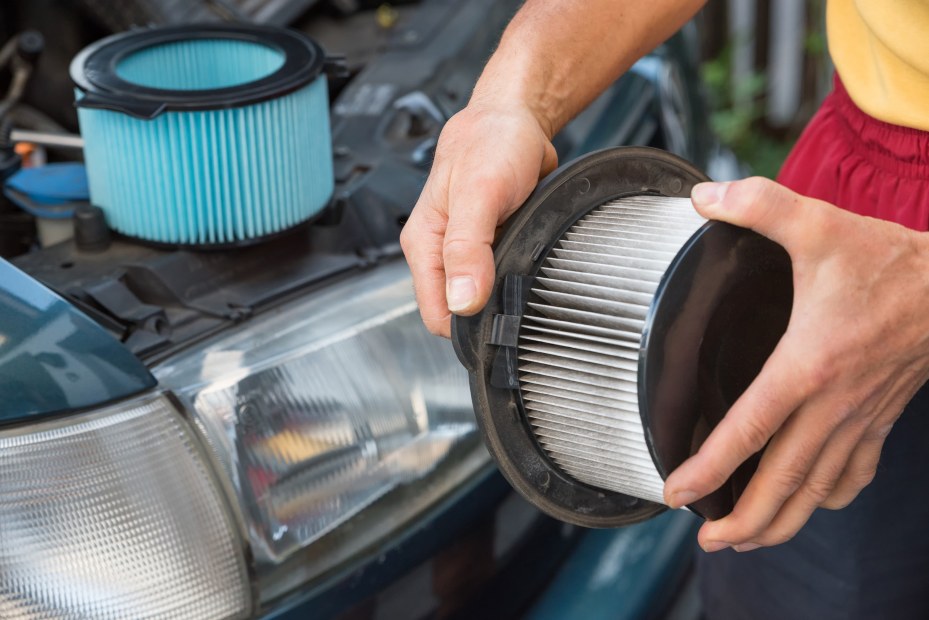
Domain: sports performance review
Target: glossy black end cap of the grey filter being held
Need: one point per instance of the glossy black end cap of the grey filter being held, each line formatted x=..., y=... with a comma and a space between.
x=719, y=311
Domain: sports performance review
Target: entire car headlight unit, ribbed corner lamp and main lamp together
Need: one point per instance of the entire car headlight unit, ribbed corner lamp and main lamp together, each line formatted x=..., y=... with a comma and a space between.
x=270, y=454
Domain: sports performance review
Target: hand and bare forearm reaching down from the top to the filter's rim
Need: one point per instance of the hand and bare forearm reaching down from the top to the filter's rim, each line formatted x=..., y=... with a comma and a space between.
x=554, y=58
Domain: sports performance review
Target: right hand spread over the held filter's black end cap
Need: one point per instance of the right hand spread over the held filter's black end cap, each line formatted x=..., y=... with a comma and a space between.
x=855, y=352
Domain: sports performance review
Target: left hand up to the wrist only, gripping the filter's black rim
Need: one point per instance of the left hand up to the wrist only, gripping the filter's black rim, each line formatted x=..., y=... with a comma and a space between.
x=487, y=162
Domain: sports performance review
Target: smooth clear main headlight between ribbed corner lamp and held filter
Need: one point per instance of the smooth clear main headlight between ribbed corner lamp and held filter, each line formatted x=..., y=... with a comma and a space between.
x=320, y=408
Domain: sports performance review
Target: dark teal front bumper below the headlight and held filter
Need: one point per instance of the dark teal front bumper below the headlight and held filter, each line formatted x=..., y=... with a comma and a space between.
x=486, y=553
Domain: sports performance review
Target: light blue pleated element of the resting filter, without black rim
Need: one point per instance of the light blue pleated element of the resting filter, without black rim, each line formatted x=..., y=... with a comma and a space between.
x=209, y=176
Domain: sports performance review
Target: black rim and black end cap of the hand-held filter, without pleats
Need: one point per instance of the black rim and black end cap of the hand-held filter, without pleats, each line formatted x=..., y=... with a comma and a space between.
x=717, y=312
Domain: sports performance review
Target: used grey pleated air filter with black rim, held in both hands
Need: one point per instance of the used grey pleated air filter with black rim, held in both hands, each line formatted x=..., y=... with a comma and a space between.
x=621, y=328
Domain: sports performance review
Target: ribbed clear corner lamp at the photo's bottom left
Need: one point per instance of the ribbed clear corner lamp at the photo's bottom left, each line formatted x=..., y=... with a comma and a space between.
x=116, y=514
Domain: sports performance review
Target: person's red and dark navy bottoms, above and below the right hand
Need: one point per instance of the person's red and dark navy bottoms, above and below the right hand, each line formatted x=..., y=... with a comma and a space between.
x=870, y=560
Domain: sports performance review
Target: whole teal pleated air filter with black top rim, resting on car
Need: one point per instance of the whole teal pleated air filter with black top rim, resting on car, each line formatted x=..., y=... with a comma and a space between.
x=205, y=135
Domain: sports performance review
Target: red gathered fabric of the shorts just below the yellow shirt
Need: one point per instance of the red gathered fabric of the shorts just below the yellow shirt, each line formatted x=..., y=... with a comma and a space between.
x=866, y=166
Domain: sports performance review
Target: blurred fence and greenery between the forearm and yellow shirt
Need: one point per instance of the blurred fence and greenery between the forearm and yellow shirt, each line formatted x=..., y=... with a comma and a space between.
x=766, y=68
